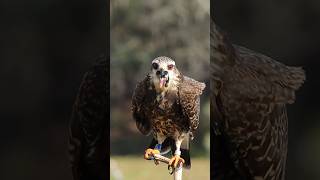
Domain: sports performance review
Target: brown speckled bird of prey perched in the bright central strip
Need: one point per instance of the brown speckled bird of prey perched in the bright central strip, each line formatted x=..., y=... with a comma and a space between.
x=167, y=104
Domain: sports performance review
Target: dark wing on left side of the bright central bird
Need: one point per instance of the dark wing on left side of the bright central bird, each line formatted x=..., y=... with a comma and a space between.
x=138, y=101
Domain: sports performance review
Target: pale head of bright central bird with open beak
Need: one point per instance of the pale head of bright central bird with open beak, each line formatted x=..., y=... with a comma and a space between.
x=164, y=73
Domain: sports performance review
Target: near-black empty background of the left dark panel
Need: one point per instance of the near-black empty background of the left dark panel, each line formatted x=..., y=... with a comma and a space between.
x=46, y=46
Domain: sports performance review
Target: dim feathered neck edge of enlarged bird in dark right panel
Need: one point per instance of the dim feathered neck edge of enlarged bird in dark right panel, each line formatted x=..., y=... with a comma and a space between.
x=222, y=54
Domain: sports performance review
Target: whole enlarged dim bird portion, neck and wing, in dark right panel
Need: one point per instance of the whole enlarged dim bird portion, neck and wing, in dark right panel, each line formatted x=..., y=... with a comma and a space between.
x=248, y=108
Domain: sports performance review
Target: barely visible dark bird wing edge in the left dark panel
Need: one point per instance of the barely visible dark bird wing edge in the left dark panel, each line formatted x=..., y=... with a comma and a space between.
x=88, y=126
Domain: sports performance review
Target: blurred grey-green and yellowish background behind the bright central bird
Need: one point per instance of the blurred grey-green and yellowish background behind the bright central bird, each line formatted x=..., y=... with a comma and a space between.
x=141, y=30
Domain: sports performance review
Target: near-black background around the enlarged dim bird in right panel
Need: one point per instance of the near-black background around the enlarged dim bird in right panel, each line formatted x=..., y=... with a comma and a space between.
x=287, y=31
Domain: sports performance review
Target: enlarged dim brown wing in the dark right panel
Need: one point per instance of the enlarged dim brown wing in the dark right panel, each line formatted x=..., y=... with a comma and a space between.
x=252, y=100
